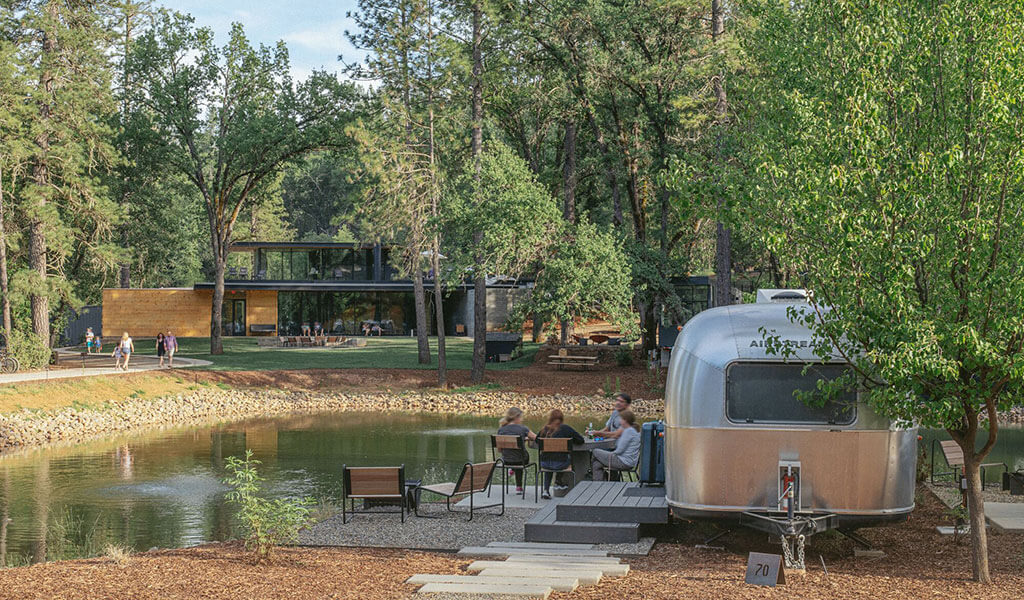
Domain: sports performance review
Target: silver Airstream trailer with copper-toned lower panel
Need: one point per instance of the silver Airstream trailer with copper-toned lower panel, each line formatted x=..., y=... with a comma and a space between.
x=738, y=440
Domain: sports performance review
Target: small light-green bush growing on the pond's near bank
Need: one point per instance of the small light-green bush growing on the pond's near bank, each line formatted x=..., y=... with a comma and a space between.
x=266, y=524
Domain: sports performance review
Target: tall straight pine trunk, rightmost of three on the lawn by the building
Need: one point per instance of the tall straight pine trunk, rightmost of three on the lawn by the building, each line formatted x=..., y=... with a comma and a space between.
x=480, y=276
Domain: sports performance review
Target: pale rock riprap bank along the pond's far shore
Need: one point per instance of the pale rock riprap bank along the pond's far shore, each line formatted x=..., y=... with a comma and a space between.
x=75, y=424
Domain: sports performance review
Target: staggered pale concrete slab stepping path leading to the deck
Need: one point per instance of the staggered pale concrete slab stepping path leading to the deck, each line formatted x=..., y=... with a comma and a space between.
x=530, y=571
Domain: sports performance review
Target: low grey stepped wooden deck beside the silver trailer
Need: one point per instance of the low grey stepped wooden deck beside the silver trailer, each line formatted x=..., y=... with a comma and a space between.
x=600, y=512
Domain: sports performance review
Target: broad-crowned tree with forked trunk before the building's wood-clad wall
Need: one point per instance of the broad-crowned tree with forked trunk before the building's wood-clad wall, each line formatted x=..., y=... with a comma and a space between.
x=229, y=120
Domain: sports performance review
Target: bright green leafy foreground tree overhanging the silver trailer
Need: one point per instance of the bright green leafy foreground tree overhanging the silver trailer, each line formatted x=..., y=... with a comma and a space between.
x=890, y=137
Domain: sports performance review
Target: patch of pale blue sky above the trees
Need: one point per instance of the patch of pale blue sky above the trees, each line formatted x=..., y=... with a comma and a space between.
x=315, y=31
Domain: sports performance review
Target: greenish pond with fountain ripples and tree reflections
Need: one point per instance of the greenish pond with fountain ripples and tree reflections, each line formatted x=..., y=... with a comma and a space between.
x=163, y=489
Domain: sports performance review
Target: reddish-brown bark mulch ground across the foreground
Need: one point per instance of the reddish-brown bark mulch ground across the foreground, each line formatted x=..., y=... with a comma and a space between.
x=919, y=564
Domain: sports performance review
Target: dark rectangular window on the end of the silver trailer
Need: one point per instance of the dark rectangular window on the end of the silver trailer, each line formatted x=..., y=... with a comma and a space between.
x=759, y=393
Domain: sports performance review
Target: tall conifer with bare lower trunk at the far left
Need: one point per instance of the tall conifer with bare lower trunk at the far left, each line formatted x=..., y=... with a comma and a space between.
x=68, y=213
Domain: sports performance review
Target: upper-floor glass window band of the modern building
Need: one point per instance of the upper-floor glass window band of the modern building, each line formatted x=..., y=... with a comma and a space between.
x=319, y=265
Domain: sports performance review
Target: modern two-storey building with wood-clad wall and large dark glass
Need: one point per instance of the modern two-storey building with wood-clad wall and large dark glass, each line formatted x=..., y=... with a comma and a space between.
x=277, y=287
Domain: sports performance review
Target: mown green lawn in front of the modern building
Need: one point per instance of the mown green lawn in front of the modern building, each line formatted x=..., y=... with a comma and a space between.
x=245, y=355
